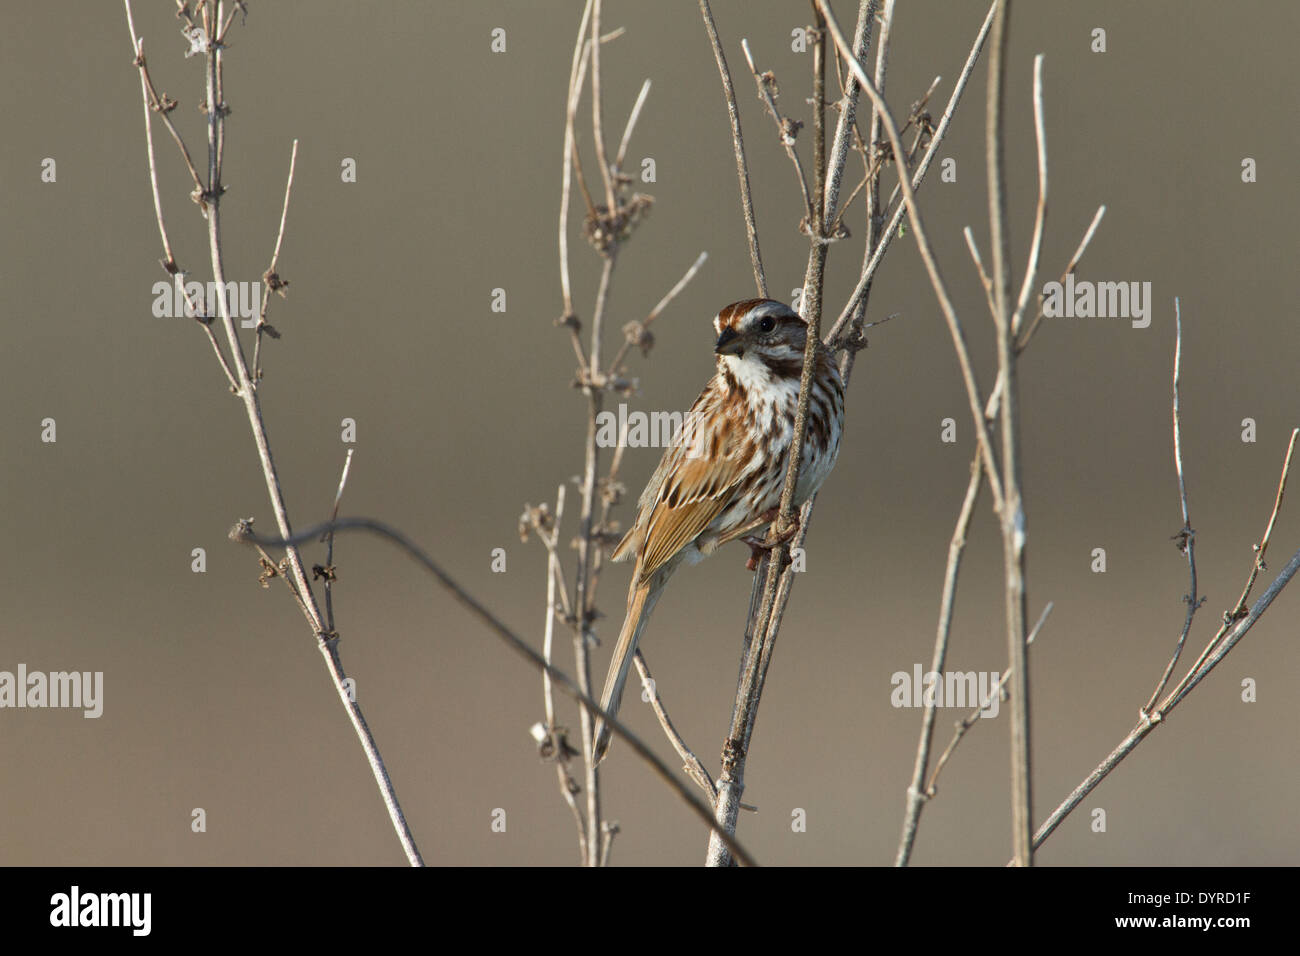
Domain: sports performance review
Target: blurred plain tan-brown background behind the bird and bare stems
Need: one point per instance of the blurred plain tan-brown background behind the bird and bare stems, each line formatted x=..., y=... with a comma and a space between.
x=215, y=697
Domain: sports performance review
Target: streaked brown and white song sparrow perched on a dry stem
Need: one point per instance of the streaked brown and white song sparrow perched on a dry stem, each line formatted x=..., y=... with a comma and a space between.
x=722, y=478
